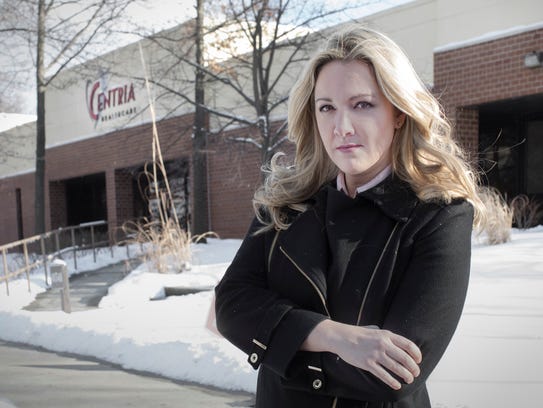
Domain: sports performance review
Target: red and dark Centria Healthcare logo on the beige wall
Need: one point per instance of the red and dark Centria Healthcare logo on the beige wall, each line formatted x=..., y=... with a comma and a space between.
x=105, y=102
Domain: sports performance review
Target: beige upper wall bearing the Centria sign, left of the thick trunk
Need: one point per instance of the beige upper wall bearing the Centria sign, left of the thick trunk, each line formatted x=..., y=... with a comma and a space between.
x=109, y=93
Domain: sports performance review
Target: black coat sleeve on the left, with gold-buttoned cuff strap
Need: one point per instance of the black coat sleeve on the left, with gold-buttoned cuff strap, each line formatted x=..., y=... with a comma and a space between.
x=269, y=328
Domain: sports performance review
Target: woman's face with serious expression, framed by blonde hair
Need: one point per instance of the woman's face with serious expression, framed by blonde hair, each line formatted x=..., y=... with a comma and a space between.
x=356, y=122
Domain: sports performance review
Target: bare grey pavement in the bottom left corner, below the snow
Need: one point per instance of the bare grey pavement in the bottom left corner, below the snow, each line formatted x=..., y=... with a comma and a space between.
x=33, y=378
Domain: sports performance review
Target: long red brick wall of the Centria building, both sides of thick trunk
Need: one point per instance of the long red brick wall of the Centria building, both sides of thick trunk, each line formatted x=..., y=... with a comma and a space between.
x=233, y=167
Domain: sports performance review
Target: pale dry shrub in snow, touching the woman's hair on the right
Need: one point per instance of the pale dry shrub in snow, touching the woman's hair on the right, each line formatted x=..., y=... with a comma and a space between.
x=499, y=220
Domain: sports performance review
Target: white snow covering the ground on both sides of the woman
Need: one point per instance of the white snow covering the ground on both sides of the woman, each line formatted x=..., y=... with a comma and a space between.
x=494, y=360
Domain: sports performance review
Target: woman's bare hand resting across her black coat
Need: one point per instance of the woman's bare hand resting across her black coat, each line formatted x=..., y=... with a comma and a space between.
x=368, y=348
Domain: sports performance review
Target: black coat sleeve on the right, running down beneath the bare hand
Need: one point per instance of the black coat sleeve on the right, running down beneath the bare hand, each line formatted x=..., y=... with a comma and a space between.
x=426, y=307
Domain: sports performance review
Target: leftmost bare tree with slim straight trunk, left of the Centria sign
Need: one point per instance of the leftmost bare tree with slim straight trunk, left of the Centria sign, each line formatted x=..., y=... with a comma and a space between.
x=53, y=35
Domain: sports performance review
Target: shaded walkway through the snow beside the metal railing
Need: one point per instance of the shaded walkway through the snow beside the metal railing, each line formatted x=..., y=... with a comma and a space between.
x=86, y=288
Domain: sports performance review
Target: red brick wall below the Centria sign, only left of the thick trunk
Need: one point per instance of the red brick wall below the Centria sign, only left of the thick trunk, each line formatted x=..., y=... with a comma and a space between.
x=102, y=154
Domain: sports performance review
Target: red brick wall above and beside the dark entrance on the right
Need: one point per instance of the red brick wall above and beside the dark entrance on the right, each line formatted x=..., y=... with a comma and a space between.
x=485, y=72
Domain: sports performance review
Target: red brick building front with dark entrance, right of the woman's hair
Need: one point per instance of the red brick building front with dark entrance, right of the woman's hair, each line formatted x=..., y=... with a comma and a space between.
x=492, y=88
